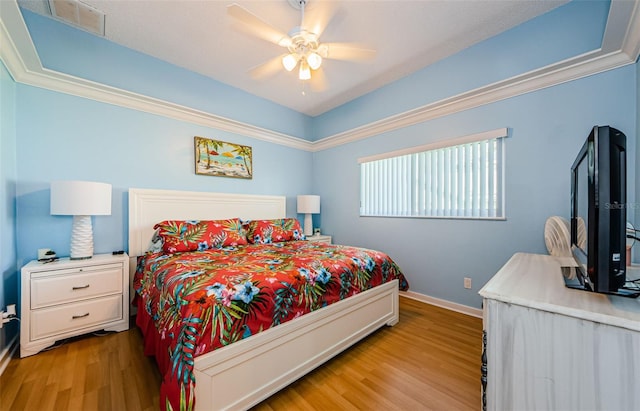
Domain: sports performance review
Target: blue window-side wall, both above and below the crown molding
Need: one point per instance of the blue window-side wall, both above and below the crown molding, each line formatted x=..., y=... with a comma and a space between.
x=548, y=128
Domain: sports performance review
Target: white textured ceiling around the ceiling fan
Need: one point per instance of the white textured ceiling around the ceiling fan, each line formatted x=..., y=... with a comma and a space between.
x=407, y=35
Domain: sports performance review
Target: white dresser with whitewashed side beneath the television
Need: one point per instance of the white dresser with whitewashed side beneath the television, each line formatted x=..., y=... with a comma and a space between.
x=553, y=348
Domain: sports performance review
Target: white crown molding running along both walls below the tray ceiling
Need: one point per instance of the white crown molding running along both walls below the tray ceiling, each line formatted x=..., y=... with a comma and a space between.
x=620, y=46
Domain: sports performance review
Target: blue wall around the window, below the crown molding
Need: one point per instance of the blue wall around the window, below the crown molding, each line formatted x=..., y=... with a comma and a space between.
x=548, y=128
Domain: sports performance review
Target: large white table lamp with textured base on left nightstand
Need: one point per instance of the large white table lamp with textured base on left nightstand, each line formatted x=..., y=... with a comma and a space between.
x=81, y=199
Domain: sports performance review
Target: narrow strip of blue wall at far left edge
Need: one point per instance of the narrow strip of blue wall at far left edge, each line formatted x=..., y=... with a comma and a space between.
x=8, y=177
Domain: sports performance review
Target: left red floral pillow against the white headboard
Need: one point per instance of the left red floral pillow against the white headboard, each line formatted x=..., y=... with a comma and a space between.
x=192, y=235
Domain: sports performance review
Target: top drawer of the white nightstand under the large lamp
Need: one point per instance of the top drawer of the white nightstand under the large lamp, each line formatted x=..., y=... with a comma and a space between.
x=74, y=285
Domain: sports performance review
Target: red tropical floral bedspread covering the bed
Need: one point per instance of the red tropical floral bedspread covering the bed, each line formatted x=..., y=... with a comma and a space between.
x=193, y=302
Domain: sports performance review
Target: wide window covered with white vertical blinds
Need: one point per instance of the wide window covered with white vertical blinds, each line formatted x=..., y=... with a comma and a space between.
x=460, y=178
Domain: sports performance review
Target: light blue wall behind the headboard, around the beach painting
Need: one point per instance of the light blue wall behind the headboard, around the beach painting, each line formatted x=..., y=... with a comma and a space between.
x=76, y=138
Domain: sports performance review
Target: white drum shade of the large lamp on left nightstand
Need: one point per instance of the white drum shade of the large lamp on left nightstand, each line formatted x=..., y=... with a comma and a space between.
x=80, y=198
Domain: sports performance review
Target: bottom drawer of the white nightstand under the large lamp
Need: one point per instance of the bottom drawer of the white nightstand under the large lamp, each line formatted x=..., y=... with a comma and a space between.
x=70, y=317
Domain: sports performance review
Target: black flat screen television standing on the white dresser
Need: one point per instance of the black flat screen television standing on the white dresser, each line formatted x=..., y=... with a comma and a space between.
x=598, y=213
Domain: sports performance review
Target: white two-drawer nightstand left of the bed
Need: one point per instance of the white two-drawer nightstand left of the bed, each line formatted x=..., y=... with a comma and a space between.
x=67, y=297
